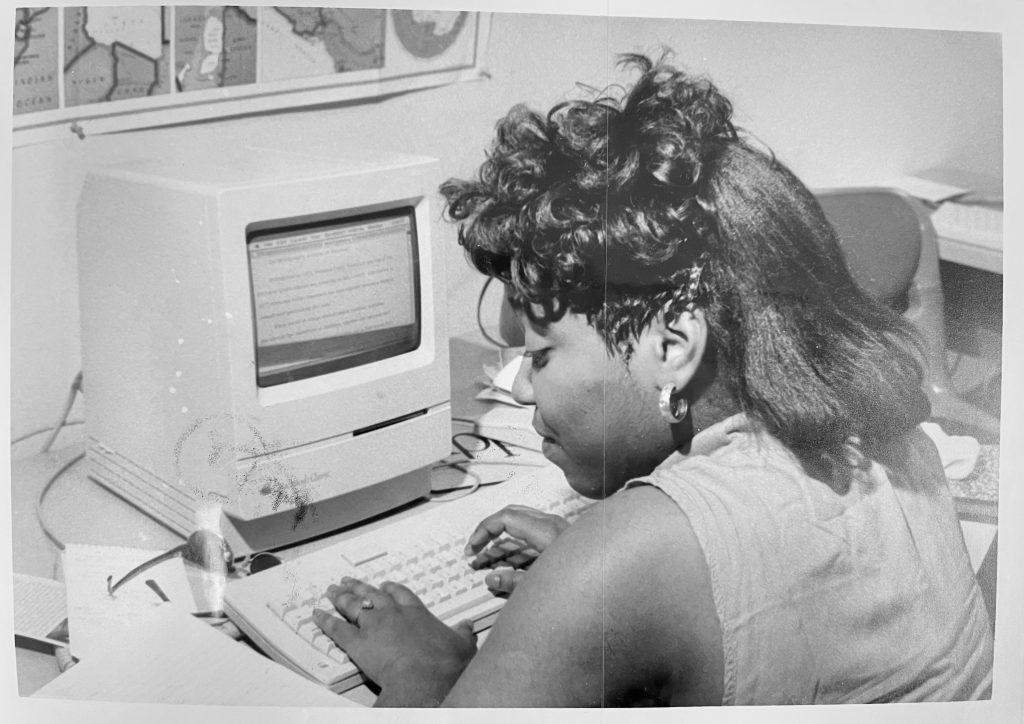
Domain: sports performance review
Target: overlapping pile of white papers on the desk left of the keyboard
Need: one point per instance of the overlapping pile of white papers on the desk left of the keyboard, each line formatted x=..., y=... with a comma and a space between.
x=144, y=646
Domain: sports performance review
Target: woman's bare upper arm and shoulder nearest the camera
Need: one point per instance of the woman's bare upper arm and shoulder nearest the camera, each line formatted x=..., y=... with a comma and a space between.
x=620, y=606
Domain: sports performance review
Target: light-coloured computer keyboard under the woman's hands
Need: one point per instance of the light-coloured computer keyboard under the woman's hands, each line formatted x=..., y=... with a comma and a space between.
x=424, y=552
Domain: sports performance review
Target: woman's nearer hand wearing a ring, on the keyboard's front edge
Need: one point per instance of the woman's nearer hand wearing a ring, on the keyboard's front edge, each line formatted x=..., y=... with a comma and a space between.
x=397, y=643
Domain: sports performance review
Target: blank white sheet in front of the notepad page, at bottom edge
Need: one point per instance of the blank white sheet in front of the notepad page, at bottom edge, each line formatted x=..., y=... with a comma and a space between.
x=168, y=657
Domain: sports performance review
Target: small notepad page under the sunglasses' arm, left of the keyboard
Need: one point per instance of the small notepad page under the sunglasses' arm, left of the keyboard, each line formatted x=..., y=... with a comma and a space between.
x=95, y=618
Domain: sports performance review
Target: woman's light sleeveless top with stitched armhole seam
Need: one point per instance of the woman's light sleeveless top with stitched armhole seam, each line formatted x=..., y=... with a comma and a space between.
x=829, y=599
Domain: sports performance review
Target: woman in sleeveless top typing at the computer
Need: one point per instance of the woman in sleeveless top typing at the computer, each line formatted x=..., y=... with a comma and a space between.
x=776, y=528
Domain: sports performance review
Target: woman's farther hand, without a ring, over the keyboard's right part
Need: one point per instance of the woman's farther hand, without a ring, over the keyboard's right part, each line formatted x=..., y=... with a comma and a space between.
x=531, y=532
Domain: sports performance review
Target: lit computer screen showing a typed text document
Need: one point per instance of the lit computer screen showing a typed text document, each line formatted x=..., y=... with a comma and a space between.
x=333, y=294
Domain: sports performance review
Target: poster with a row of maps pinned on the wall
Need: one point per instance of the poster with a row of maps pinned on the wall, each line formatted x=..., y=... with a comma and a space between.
x=101, y=69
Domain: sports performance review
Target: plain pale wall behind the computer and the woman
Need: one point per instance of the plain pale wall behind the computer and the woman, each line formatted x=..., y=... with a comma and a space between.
x=842, y=106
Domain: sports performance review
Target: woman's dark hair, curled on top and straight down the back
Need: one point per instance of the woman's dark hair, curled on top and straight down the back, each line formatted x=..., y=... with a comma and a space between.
x=622, y=209
